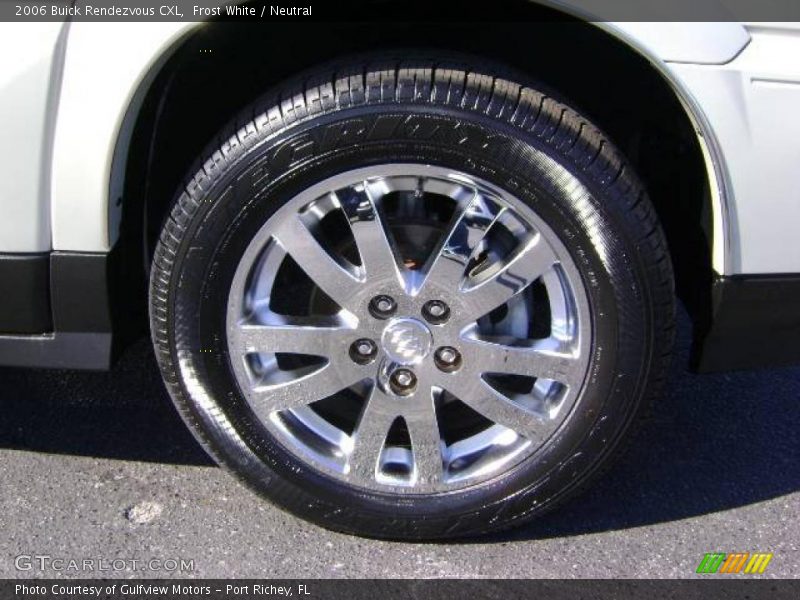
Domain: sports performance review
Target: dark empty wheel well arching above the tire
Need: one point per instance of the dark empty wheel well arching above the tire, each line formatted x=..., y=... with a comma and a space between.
x=223, y=67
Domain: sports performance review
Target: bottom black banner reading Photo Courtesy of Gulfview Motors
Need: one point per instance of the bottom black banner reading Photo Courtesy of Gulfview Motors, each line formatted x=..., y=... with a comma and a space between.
x=364, y=589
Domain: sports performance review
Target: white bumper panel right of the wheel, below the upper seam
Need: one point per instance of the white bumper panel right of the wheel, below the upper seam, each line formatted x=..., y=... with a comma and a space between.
x=752, y=105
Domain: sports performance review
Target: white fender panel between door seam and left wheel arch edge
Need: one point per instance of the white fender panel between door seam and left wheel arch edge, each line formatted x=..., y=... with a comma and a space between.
x=121, y=56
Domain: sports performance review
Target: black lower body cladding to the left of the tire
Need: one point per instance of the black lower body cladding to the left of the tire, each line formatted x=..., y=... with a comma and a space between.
x=74, y=310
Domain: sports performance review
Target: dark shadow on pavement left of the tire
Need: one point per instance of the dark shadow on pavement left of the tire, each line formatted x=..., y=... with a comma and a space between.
x=124, y=414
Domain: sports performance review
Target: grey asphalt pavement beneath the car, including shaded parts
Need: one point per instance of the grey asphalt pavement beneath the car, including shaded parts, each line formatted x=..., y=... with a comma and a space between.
x=98, y=467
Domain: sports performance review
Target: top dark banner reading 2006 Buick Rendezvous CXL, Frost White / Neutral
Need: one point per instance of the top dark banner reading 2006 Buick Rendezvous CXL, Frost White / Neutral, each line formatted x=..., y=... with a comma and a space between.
x=376, y=10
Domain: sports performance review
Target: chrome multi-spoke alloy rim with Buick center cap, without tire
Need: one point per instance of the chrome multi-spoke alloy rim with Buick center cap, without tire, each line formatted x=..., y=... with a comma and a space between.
x=408, y=328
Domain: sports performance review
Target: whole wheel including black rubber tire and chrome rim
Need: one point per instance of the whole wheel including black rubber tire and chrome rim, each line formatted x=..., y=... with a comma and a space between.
x=560, y=186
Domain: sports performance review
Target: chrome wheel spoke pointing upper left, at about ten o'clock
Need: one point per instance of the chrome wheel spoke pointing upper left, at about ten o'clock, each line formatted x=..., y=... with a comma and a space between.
x=332, y=278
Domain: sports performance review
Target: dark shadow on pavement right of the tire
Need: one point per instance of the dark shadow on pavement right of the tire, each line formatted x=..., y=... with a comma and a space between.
x=712, y=442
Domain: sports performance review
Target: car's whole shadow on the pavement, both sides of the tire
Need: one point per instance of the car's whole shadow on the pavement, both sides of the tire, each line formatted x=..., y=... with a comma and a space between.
x=713, y=442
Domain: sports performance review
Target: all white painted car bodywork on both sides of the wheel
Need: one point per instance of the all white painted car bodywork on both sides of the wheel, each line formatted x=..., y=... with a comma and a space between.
x=739, y=84
